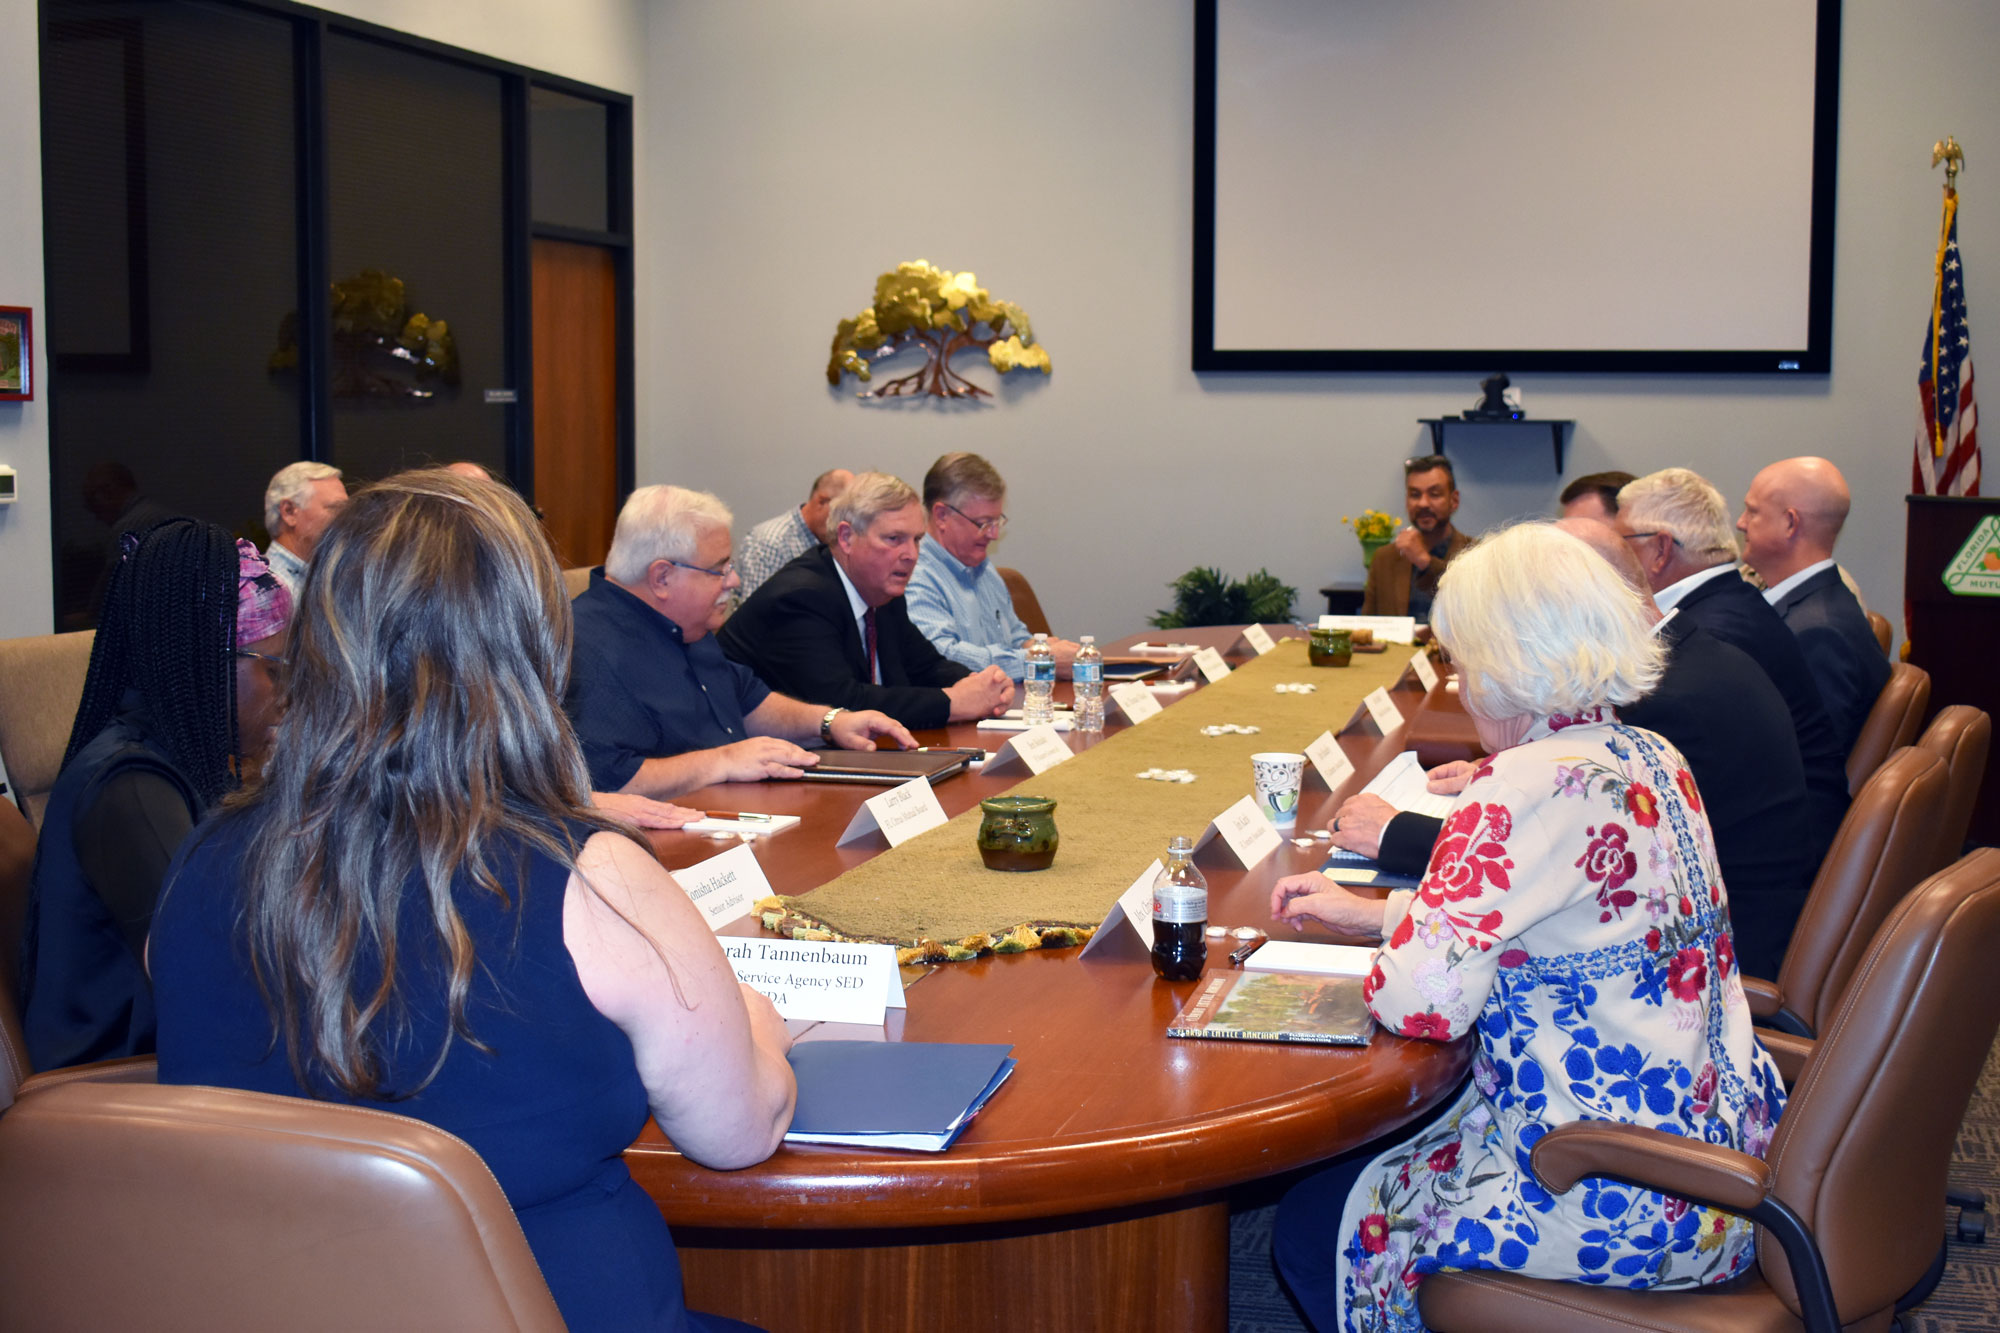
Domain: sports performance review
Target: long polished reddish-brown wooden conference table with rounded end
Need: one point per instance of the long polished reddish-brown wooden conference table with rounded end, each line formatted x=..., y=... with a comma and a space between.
x=1091, y=1192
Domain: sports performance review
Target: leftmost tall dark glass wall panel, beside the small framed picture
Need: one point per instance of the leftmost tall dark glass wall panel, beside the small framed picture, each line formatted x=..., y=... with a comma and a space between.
x=173, y=261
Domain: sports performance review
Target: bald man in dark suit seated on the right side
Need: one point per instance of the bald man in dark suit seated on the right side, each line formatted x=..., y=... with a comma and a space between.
x=1791, y=521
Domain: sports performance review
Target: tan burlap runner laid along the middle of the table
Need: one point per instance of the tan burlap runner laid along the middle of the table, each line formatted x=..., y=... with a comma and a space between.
x=1111, y=822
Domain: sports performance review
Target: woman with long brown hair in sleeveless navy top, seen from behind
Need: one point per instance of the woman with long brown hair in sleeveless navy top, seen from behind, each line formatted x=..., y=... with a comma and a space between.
x=419, y=910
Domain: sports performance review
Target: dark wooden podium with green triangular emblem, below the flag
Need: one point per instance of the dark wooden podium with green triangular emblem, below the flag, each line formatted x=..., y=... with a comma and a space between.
x=1955, y=635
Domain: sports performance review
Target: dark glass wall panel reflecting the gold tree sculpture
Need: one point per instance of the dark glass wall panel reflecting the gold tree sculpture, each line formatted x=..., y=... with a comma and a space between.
x=417, y=251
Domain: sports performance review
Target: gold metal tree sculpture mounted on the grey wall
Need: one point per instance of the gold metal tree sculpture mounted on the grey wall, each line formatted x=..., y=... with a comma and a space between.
x=943, y=313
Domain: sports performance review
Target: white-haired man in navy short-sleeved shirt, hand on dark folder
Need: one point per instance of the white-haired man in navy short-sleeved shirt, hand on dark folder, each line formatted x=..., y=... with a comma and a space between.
x=657, y=706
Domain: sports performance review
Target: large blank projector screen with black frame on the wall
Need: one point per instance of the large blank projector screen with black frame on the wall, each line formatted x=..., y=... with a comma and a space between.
x=1539, y=185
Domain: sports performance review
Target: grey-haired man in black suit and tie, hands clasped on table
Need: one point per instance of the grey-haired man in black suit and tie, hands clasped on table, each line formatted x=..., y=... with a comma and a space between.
x=833, y=623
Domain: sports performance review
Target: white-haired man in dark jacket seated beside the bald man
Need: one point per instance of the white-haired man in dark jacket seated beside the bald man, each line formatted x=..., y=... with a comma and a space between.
x=1681, y=531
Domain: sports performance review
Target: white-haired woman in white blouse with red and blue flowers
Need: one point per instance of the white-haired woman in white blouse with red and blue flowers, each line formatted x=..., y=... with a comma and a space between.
x=1575, y=920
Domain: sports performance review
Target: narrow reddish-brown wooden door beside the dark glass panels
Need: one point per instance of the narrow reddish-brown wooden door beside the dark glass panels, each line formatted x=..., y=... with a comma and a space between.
x=577, y=397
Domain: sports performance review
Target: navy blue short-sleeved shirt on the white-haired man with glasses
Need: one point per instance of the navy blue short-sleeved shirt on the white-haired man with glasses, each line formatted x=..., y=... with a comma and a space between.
x=641, y=692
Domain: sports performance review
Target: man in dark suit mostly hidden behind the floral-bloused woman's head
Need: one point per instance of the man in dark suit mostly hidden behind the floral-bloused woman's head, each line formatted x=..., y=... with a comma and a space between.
x=1731, y=726
